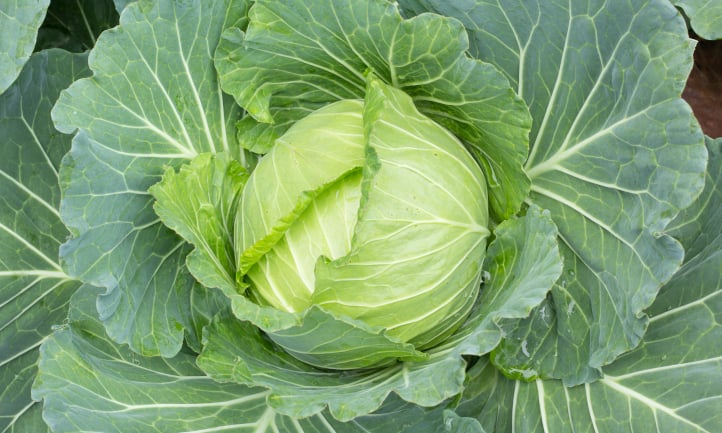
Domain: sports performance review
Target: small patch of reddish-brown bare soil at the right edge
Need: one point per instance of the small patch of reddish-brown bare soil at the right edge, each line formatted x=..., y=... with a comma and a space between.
x=704, y=87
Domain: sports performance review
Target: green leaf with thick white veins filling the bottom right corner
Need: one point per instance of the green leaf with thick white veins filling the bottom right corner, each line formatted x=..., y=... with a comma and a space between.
x=672, y=382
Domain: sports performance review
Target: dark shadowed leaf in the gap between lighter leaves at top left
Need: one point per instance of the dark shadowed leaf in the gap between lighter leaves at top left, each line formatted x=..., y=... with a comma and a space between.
x=76, y=24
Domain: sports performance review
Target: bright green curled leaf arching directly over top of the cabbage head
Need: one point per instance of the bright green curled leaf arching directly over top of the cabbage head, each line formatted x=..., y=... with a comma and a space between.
x=300, y=55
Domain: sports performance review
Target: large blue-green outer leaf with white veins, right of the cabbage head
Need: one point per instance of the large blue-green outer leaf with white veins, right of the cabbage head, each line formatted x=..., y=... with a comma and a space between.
x=616, y=153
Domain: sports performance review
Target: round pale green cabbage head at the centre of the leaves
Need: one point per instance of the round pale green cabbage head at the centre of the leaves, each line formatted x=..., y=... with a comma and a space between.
x=371, y=212
